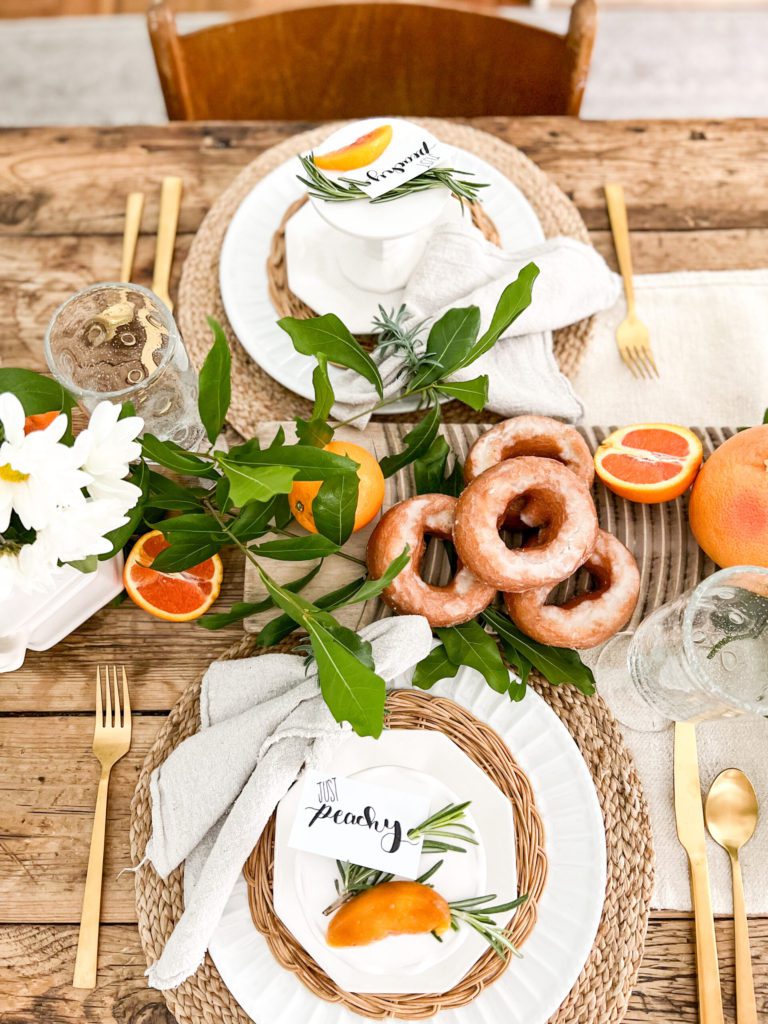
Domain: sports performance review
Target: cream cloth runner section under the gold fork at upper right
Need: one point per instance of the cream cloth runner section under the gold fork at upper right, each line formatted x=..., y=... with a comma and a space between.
x=709, y=331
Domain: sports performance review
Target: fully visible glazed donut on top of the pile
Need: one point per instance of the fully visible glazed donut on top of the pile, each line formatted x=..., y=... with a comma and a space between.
x=570, y=524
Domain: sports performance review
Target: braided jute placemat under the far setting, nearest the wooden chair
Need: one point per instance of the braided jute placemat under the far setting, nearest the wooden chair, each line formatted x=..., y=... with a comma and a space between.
x=257, y=398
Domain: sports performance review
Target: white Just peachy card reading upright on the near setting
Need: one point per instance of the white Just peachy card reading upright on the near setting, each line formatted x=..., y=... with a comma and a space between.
x=367, y=825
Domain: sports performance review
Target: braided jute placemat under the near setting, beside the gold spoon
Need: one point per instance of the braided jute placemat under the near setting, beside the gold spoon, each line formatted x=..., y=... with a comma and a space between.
x=602, y=992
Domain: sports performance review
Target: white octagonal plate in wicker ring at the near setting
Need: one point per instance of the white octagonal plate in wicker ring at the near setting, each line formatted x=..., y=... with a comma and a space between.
x=424, y=763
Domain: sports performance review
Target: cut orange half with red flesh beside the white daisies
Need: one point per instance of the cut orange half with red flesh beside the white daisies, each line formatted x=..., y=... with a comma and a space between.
x=178, y=598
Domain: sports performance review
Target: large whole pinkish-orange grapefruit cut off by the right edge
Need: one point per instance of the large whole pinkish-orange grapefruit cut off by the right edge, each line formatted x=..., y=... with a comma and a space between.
x=730, y=502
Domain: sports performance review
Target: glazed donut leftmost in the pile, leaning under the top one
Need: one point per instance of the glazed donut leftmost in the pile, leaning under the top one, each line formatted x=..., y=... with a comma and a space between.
x=410, y=523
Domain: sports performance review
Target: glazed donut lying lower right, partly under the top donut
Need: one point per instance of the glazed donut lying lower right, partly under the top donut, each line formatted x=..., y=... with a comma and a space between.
x=586, y=620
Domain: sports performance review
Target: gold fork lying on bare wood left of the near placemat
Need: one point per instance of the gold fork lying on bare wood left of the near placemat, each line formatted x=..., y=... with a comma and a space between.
x=112, y=739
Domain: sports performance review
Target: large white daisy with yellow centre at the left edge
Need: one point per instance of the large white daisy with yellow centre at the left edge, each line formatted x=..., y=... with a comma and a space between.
x=37, y=473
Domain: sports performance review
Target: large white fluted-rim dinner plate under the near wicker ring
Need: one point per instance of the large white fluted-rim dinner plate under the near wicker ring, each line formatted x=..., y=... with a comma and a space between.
x=533, y=988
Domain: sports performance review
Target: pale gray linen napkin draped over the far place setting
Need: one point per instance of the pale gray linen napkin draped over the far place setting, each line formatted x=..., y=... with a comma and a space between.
x=459, y=269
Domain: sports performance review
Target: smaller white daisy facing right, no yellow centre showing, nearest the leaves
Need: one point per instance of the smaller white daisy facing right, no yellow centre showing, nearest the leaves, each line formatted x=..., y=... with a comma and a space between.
x=107, y=448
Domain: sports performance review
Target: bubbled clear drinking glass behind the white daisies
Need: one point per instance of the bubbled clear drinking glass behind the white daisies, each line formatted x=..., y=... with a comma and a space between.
x=119, y=343
